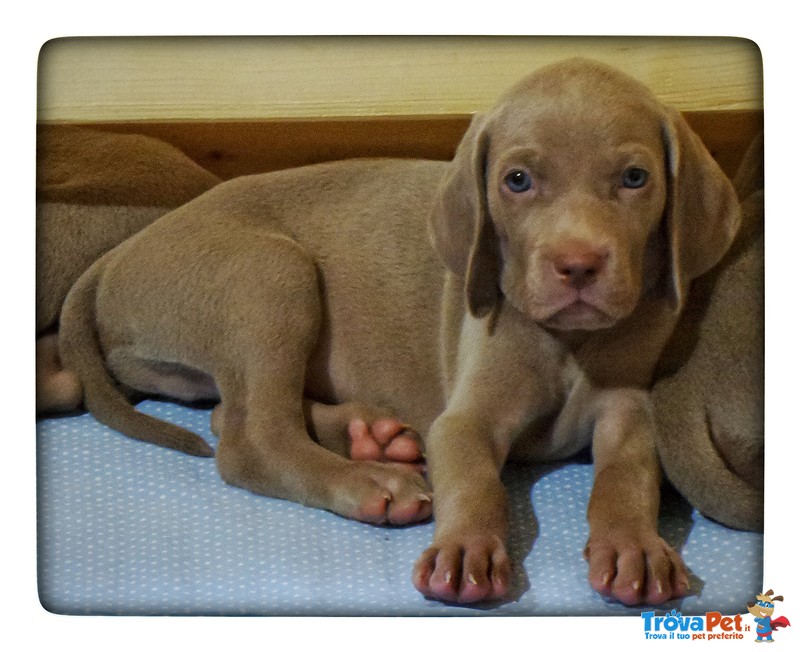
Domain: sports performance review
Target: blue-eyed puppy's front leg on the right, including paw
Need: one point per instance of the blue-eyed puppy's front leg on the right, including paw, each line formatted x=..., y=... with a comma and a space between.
x=627, y=559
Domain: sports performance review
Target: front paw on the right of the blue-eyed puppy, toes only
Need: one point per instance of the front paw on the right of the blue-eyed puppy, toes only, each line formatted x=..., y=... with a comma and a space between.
x=635, y=568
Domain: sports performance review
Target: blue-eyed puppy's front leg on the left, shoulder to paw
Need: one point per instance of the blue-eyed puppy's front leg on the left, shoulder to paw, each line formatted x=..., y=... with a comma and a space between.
x=494, y=393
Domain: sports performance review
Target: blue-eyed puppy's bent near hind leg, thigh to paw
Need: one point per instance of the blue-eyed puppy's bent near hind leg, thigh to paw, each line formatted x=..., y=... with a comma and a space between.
x=265, y=445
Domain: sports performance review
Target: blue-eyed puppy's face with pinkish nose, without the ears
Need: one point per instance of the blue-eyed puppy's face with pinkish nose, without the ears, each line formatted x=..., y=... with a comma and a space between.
x=576, y=188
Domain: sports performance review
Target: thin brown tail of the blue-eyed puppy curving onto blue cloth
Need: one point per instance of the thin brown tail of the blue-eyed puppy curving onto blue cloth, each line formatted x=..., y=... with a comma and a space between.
x=81, y=353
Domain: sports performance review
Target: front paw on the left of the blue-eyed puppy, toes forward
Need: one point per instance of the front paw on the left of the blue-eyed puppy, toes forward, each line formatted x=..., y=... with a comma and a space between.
x=464, y=569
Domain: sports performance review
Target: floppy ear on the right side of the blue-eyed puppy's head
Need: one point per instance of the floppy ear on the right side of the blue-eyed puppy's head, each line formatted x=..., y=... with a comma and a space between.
x=703, y=212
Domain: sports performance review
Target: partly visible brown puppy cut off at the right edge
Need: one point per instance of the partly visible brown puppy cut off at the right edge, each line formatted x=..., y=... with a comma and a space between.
x=709, y=394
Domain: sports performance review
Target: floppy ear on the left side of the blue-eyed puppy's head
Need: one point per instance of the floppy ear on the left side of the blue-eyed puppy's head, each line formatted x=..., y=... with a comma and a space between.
x=460, y=226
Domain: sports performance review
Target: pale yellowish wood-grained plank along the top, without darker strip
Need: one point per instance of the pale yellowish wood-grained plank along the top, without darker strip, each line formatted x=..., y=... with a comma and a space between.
x=302, y=78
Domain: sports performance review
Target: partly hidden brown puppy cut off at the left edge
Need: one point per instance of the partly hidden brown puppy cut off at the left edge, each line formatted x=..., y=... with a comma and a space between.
x=93, y=190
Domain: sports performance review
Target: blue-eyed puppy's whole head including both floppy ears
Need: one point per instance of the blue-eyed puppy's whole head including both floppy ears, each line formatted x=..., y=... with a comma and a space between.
x=578, y=194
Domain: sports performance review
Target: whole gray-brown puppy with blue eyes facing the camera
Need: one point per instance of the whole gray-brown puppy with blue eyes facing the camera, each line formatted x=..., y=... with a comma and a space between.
x=510, y=304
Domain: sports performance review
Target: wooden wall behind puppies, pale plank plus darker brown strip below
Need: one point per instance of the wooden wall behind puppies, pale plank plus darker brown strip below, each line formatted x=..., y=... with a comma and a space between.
x=249, y=104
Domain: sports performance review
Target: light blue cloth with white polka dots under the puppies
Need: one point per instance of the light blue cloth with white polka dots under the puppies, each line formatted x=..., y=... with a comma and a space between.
x=130, y=528
